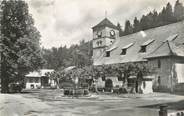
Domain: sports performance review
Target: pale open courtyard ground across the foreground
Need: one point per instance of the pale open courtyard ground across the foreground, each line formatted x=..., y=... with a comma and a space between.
x=52, y=103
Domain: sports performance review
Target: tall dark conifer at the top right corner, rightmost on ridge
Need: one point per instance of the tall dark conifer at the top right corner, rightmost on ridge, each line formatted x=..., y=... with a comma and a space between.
x=178, y=11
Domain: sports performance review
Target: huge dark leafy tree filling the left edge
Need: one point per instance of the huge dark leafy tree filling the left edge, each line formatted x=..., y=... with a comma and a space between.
x=20, y=45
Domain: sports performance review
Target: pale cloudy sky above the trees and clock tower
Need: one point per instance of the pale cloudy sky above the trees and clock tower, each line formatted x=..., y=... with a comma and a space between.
x=67, y=22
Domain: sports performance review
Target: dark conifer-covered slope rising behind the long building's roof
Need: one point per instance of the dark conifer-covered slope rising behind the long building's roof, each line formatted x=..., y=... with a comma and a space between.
x=166, y=16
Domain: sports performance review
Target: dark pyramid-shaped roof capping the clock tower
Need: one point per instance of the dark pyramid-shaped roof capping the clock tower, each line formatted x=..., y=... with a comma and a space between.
x=105, y=23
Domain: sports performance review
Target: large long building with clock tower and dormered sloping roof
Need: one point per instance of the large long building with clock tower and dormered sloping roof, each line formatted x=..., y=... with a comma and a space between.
x=162, y=48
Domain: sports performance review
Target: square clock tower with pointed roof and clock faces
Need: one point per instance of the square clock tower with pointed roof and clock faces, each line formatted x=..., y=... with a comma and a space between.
x=104, y=34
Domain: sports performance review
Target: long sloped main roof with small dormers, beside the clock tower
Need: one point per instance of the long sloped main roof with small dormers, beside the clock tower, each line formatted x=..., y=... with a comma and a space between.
x=159, y=35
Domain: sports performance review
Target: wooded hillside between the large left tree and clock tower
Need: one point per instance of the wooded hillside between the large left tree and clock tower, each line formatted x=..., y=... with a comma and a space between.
x=78, y=55
